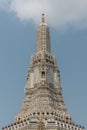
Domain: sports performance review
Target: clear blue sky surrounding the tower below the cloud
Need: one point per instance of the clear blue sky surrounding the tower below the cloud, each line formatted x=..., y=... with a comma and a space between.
x=18, y=42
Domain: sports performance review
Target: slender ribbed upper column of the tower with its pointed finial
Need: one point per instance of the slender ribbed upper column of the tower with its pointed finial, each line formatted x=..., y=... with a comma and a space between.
x=43, y=37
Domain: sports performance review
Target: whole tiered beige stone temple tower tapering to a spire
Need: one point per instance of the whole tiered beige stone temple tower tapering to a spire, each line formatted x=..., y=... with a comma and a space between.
x=43, y=107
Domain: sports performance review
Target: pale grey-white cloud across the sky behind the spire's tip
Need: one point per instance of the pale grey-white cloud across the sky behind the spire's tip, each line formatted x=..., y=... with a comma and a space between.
x=59, y=13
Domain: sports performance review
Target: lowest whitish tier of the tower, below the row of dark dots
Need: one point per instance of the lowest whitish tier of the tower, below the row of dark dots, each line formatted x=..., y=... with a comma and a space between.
x=52, y=123
